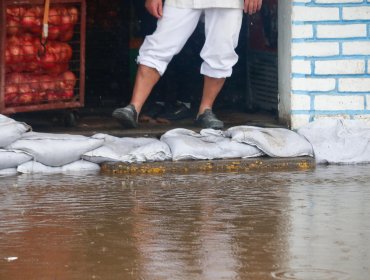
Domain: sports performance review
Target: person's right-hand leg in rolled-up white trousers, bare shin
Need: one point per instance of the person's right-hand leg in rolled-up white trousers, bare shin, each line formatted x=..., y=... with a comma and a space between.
x=222, y=27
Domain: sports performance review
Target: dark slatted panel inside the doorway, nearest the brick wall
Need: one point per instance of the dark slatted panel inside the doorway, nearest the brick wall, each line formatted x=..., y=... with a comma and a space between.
x=262, y=58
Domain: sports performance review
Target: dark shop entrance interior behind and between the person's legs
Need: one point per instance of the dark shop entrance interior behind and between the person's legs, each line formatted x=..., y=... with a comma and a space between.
x=115, y=30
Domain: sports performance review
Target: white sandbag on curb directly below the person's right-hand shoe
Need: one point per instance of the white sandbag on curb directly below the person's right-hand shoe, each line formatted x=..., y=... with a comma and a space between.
x=209, y=144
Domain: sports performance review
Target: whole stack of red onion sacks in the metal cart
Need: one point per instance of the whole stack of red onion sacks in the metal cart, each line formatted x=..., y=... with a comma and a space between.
x=36, y=73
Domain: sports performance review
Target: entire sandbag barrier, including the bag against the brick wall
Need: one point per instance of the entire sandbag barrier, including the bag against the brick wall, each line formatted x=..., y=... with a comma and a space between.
x=329, y=141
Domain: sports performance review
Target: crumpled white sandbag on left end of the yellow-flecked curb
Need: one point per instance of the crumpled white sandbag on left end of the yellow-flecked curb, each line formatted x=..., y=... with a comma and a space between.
x=128, y=150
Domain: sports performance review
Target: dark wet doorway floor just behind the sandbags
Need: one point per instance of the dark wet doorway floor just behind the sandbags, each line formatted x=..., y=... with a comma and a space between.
x=100, y=121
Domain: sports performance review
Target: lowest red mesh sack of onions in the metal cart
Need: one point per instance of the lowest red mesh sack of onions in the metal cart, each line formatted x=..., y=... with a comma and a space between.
x=26, y=89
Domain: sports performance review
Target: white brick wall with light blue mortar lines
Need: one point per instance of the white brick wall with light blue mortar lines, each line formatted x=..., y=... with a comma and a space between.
x=330, y=54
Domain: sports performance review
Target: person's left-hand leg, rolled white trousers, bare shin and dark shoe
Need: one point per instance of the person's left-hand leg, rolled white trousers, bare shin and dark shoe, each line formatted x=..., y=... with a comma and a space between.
x=173, y=30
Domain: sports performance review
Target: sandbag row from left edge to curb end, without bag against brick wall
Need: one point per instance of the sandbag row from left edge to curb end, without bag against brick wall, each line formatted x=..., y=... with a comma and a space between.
x=22, y=150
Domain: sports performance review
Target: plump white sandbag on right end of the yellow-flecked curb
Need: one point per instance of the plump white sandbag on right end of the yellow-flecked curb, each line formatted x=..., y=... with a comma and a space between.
x=275, y=142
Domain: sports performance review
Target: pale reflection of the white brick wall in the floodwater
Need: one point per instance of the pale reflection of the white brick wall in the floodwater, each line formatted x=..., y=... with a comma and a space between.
x=330, y=224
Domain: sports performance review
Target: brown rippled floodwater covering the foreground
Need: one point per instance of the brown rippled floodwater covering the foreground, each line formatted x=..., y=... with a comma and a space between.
x=279, y=225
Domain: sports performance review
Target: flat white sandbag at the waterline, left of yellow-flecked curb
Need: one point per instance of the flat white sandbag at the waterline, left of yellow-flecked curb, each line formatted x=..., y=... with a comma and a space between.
x=80, y=166
